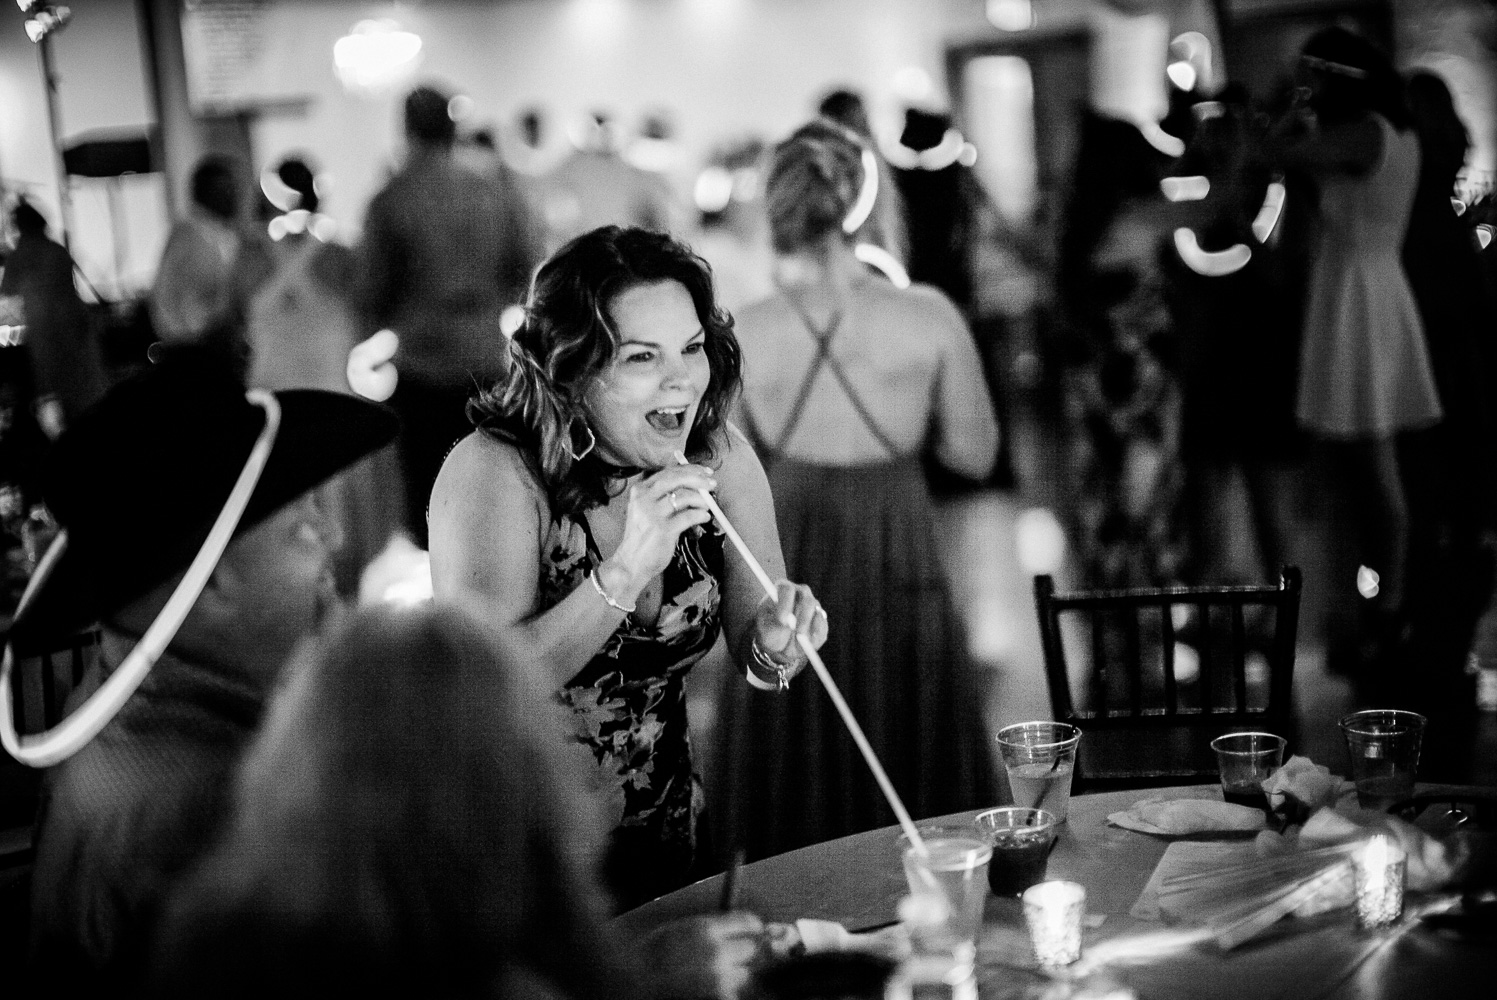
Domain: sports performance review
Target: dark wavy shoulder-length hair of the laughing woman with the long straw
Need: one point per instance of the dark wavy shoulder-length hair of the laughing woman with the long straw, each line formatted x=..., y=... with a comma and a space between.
x=570, y=341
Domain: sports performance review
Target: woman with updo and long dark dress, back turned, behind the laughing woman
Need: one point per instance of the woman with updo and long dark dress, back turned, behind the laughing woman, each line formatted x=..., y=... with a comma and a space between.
x=847, y=381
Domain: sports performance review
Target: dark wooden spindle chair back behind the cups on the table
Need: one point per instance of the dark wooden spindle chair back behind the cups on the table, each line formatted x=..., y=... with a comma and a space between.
x=1146, y=718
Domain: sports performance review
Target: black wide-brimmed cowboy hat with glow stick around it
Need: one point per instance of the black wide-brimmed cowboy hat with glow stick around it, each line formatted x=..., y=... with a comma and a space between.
x=140, y=480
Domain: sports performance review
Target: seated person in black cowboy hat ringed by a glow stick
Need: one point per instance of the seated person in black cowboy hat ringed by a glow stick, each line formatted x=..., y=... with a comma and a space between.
x=194, y=537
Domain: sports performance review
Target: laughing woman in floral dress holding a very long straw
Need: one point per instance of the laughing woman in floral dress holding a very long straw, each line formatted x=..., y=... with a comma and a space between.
x=570, y=520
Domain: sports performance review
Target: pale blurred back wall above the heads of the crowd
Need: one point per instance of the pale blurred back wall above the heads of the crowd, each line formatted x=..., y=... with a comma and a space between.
x=258, y=79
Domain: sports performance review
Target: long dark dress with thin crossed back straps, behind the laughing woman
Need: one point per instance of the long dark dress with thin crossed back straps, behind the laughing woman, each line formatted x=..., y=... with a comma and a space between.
x=863, y=538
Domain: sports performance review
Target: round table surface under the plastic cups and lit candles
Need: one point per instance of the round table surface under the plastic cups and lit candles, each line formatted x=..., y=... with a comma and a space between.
x=859, y=881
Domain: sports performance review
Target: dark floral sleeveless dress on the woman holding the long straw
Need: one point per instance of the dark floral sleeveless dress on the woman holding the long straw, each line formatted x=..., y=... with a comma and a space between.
x=628, y=709
